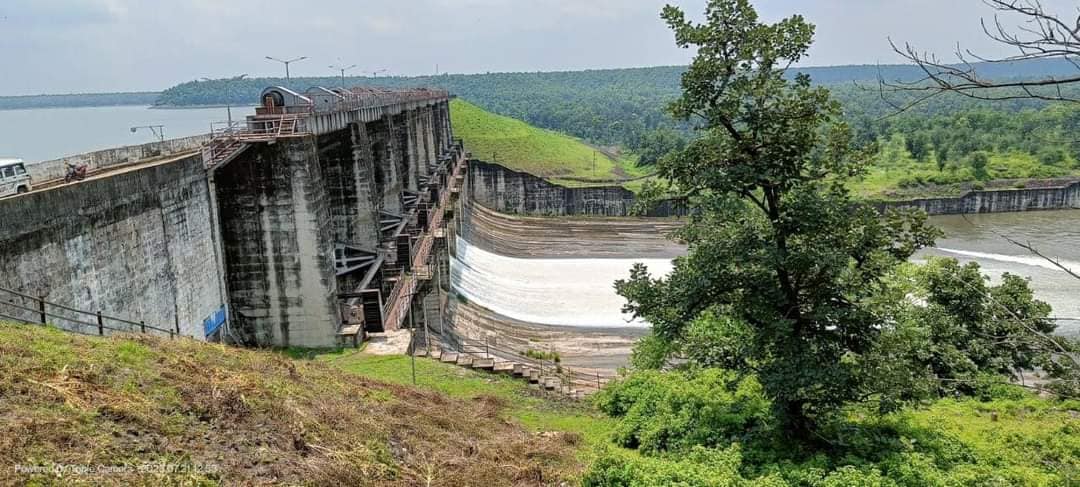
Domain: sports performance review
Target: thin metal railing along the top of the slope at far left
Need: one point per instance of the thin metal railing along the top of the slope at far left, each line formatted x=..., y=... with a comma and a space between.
x=22, y=308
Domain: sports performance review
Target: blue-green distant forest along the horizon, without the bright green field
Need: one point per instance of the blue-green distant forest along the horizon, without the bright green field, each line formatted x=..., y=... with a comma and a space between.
x=627, y=107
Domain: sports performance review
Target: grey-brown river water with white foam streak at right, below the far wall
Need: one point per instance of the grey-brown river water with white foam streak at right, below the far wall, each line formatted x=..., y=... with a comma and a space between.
x=1056, y=234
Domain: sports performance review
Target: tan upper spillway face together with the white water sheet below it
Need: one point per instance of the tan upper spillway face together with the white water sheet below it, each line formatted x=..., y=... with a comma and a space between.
x=558, y=272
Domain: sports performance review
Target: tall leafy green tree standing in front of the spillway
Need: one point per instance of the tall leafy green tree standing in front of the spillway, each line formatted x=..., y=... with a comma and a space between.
x=779, y=252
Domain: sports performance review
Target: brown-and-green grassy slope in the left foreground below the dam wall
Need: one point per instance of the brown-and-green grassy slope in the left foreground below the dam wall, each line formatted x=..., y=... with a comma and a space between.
x=218, y=415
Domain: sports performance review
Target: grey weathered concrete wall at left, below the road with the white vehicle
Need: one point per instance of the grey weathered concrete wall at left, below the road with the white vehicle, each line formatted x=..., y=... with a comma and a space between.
x=138, y=245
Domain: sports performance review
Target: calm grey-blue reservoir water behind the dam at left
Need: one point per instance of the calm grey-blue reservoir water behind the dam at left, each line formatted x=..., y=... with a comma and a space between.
x=52, y=133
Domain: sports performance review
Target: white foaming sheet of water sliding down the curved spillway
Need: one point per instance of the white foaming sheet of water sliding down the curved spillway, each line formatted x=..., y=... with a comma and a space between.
x=551, y=292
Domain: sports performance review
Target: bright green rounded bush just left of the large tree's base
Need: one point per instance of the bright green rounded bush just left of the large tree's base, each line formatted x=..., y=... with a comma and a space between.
x=668, y=412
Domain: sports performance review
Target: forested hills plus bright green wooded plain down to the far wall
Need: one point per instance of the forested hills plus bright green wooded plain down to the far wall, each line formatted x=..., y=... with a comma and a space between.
x=950, y=143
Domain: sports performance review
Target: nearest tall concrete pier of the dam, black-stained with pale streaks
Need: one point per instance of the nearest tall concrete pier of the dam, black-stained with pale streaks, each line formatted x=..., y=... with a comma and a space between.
x=279, y=245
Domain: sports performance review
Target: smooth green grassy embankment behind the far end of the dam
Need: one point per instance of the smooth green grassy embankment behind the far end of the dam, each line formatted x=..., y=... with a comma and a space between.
x=556, y=157
